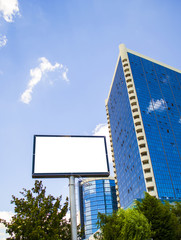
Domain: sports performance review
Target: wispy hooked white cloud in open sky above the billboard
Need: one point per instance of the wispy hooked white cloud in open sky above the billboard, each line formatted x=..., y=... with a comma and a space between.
x=37, y=73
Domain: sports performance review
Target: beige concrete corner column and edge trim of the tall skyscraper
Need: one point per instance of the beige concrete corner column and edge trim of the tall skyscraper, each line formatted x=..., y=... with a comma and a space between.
x=137, y=119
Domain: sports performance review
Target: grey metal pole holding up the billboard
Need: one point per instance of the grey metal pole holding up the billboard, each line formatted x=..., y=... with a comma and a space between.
x=73, y=207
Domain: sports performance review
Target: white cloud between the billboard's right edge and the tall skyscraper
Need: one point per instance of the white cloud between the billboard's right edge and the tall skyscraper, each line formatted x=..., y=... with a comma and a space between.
x=102, y=130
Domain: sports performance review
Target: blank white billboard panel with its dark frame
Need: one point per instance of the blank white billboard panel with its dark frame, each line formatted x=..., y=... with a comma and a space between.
x=64, y=156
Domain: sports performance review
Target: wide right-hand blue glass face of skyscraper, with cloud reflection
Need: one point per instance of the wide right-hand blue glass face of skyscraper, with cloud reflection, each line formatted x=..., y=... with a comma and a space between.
x=159, y=94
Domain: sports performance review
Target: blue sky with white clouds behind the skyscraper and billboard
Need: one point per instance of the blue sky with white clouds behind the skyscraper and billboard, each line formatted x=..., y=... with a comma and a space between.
x=61, y=55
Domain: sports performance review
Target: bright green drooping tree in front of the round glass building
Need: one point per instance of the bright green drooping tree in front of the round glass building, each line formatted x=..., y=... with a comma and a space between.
x=125, y=225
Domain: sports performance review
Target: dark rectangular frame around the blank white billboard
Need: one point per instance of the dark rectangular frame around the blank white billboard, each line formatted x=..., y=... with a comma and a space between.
x=68, y=174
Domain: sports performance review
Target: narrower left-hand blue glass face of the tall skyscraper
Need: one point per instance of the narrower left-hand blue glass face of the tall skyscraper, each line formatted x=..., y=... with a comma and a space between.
x=130, y=178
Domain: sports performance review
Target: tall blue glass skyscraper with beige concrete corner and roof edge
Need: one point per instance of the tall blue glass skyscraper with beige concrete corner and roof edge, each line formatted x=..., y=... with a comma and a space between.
x=144, y=120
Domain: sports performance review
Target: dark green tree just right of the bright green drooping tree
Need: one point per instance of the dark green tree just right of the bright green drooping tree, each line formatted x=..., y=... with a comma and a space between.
x=163, y=221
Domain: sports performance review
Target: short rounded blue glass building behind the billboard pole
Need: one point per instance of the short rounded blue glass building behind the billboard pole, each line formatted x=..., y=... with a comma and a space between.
x=95, y=195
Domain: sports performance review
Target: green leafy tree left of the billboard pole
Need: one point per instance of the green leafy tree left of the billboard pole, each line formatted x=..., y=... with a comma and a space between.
x=38, y=216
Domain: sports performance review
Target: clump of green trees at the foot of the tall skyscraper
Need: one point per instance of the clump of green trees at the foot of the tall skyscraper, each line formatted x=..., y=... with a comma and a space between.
x=149, y=219
